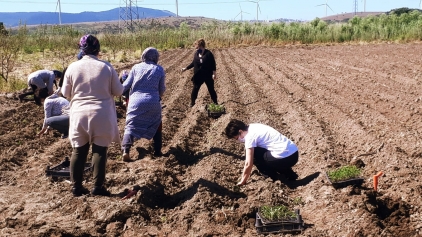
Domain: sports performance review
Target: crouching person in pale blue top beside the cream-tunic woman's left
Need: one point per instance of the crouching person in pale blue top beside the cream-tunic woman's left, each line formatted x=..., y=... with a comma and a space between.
x=55, y=111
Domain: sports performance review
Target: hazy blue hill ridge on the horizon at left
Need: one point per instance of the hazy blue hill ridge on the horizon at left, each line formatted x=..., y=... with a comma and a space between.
x=11, y=19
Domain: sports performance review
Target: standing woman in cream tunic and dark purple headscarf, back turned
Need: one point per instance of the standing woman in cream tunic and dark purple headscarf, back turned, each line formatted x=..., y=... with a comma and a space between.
x=91, y=85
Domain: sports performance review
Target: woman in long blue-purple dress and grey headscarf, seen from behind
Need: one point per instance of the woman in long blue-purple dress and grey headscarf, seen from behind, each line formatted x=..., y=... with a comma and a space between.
x=146, y=84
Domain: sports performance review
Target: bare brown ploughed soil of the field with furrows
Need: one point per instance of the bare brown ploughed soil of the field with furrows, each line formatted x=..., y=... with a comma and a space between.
x=341, y=104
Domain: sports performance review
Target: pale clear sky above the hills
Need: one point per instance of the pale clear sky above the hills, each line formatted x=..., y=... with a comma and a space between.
x=218, y=9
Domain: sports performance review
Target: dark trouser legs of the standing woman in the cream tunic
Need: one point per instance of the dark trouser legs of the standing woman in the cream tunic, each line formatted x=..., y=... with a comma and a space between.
x=78, y=160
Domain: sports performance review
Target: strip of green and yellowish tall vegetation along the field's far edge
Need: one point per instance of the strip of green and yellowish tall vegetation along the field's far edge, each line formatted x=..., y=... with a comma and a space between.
x=62, y=40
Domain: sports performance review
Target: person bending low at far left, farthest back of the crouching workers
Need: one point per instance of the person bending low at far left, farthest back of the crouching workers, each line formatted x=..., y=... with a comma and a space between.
x=41, y=79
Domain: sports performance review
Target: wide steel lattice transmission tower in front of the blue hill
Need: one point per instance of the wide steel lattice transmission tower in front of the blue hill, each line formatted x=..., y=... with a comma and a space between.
x=128, y=14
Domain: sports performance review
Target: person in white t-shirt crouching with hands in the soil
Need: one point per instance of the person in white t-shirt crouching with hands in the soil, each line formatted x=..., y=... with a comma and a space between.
x=270, y=150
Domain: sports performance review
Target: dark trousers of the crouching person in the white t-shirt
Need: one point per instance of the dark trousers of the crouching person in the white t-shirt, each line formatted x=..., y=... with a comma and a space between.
x=266, y=163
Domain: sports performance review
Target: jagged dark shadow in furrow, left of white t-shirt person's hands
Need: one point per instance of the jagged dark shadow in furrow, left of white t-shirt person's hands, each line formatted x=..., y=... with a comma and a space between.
x=153, y=195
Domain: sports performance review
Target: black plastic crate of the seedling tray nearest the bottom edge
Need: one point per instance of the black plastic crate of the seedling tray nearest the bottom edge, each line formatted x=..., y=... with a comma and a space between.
x=264, y=226
